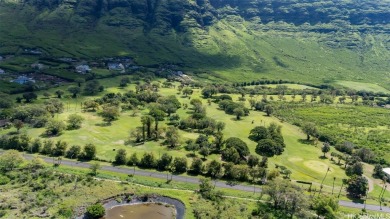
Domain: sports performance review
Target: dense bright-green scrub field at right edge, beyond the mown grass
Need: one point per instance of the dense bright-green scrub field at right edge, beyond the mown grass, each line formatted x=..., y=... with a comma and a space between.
x=362, y=125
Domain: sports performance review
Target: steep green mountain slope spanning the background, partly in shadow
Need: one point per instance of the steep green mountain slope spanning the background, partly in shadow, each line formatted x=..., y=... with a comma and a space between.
x=308, y=41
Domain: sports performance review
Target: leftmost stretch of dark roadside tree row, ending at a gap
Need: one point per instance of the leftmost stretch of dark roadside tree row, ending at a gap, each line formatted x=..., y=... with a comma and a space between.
x=60, y=148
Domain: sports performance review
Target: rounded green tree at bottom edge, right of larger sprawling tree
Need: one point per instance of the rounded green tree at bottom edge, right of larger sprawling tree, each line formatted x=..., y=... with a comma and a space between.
x=326, y=206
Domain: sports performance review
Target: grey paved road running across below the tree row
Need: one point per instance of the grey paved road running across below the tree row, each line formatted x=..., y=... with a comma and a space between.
x=194, y=180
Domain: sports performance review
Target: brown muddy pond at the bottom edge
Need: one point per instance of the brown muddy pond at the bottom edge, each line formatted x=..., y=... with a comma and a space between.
x=141, y=211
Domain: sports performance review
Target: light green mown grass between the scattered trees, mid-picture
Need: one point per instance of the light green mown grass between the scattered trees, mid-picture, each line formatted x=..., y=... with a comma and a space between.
x=110, y=138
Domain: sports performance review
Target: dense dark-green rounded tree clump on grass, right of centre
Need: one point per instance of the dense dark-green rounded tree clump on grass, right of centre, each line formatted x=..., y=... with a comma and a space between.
x=270, y=141
